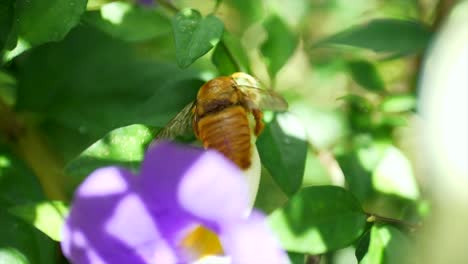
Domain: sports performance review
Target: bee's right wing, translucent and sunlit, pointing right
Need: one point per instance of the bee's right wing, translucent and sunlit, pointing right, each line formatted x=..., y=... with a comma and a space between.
x=257, y=98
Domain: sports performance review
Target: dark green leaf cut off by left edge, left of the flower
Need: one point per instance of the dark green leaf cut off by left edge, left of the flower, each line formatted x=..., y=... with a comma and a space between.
x=18, y=184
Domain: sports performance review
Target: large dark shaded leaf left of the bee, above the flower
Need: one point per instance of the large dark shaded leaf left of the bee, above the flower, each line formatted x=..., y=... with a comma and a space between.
x=91, y=83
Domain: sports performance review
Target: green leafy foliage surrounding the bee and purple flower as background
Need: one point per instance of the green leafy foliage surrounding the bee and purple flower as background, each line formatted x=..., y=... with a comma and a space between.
x=84, y=84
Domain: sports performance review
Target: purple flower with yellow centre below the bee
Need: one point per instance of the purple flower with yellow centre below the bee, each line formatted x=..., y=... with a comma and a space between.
x=186, y=204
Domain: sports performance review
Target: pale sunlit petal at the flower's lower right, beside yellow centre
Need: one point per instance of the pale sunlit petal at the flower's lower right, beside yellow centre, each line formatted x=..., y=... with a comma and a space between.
x=251, y=242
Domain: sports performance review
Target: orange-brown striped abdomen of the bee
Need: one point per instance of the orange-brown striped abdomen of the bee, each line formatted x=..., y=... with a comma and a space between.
x=228, y=132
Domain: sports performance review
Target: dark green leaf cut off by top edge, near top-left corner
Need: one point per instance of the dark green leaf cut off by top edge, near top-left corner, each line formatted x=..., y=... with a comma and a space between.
x=42, y=21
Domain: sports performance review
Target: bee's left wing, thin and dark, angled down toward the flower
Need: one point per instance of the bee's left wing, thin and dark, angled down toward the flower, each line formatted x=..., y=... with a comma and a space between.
x=179, y=125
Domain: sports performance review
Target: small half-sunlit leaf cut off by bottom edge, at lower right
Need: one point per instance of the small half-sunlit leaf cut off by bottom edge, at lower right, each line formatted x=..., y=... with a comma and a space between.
x=387, y=245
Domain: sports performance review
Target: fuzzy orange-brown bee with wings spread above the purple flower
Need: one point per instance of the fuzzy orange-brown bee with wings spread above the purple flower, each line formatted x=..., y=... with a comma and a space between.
x=226, y=116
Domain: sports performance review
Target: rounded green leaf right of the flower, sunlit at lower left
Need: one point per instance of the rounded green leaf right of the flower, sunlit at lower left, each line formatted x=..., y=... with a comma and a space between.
x=319, y=219
